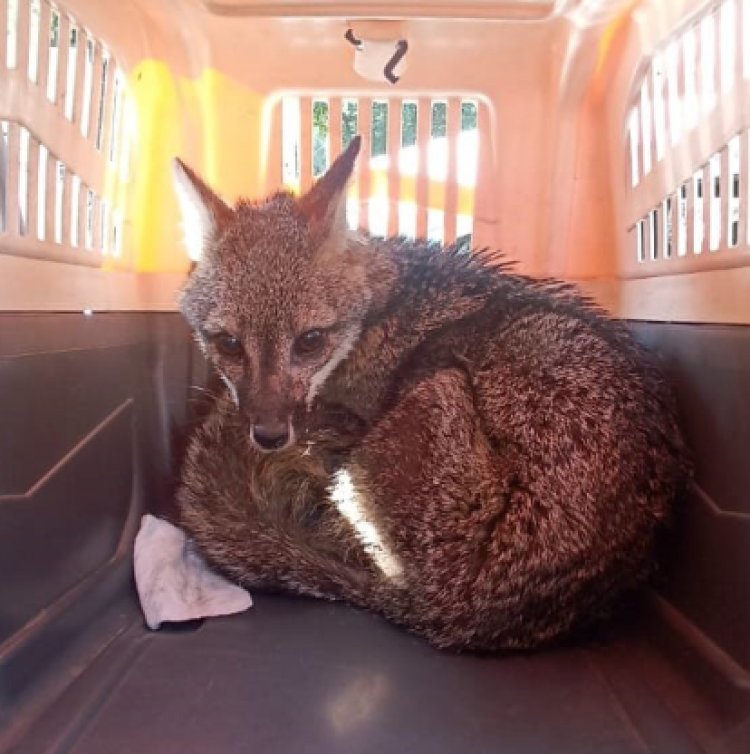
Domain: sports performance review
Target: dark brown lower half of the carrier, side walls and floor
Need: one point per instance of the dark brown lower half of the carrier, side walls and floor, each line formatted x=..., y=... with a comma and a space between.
x=79, y=674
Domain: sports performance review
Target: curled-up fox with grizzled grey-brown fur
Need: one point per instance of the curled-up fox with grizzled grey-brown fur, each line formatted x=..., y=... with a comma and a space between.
x=513, y=448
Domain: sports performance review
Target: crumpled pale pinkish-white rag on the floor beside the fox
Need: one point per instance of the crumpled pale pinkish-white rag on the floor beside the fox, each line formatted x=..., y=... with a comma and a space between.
x=174, y=583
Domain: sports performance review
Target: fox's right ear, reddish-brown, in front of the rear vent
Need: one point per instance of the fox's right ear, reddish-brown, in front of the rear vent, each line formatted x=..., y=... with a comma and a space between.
x=324, y=205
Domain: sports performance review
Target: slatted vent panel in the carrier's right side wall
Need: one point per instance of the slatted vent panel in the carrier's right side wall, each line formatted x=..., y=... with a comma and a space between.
x=692, y=91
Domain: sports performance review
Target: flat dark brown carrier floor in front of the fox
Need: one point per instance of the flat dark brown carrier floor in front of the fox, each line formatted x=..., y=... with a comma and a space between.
x=298, y=676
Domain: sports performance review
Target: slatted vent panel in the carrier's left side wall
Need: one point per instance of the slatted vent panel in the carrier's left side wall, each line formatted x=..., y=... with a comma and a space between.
x=54, y=204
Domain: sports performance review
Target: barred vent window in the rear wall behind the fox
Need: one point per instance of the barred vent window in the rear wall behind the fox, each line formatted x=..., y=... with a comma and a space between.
x=417, y=171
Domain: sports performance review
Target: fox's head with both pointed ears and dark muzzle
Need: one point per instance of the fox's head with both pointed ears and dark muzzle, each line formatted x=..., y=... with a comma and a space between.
x=278, y=298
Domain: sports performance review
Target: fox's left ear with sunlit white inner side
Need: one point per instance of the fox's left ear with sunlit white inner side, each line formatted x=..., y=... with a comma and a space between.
x=204, y=214
